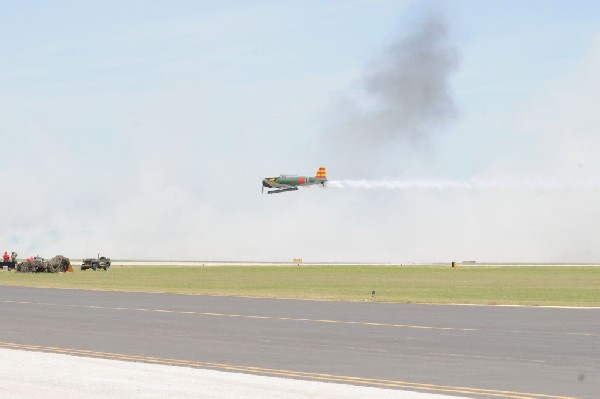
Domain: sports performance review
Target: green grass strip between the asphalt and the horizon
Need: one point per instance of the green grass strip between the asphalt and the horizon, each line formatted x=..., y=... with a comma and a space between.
x=522, y=285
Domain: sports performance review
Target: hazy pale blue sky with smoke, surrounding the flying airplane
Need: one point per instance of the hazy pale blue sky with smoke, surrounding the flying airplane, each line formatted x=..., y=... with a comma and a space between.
x=141, y=129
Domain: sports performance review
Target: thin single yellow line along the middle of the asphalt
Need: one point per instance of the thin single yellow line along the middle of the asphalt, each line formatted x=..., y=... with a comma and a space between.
x=248, y=316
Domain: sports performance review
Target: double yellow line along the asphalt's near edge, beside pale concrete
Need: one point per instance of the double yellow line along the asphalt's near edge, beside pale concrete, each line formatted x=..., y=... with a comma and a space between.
x=478, y=392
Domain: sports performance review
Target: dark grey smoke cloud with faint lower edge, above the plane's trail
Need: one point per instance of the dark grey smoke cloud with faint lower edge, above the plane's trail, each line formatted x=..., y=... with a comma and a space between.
x=402, y=100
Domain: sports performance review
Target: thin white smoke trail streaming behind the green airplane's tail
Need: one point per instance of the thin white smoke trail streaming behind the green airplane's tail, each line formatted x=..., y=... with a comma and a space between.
x=470, y=184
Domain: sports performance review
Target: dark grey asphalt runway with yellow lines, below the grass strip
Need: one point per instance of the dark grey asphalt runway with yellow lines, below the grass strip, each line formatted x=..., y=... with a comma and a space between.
x=470, y=351
